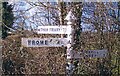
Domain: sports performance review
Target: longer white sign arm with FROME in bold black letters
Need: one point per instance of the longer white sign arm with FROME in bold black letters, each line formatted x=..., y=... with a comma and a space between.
x=44, y=42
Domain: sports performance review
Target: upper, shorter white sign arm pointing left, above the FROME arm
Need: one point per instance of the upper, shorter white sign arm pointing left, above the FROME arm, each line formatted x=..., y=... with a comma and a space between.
x=53, y=29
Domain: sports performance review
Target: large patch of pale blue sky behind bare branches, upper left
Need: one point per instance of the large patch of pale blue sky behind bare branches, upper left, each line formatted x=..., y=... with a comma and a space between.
x=20, y=8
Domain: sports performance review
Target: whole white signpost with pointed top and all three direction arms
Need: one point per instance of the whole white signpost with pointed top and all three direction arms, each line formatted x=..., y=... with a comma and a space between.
x=59, y=42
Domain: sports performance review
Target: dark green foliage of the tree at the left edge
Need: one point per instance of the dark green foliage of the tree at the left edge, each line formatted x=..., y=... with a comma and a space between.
x=7, y=18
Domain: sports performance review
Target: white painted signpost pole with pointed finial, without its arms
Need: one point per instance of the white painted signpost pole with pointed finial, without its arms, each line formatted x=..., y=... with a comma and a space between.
x=70, y=53
